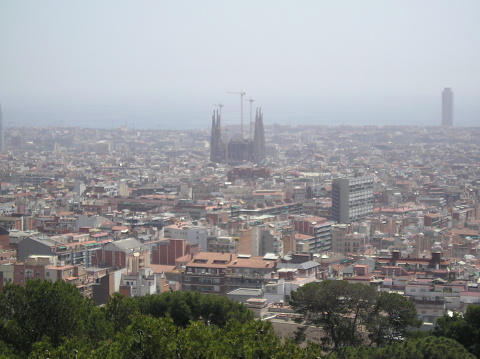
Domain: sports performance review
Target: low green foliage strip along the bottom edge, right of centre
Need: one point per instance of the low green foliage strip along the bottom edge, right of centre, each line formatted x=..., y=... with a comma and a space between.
x=425, y=348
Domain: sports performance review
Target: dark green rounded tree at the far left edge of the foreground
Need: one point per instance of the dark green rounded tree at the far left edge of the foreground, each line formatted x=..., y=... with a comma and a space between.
x=41, y=309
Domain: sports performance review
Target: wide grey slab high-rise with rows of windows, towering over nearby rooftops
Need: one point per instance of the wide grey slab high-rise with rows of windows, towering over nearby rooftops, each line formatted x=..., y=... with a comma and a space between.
x=352, y=198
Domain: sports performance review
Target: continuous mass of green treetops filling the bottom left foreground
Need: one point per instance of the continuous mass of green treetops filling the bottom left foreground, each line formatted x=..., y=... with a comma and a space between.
x=52, y=320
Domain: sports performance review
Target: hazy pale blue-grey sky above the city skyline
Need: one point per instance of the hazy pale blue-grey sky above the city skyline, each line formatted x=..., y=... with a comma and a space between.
x=167, y=64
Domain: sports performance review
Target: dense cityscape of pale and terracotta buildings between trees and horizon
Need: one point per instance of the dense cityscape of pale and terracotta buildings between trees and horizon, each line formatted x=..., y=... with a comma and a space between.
x=252, y=217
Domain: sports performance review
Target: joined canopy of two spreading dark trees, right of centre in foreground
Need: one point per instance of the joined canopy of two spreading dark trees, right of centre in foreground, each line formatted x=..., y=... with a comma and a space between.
x=347, y=312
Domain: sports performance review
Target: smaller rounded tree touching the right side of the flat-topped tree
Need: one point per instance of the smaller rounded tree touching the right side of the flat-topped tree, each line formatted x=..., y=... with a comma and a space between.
x=395, y=316
